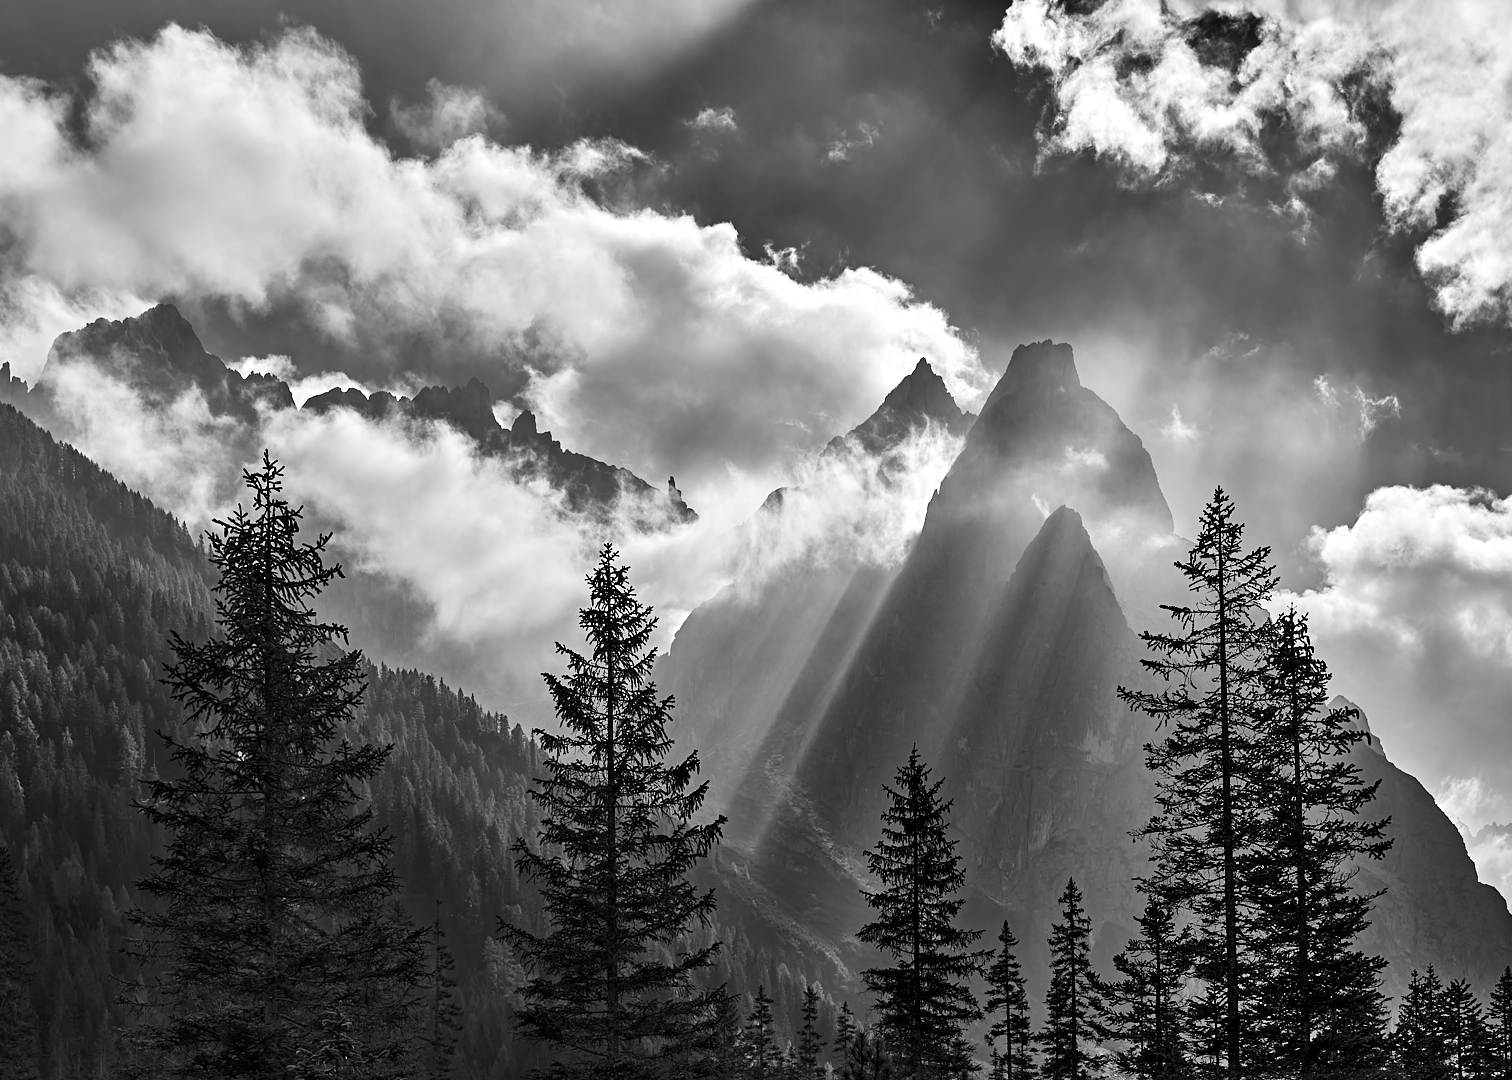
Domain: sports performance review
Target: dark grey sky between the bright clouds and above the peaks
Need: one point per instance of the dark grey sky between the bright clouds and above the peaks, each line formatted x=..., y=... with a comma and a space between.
x=946, y=196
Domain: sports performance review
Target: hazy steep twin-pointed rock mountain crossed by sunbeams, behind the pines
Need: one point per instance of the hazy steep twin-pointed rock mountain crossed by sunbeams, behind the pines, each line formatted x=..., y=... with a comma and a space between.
x=997, y=647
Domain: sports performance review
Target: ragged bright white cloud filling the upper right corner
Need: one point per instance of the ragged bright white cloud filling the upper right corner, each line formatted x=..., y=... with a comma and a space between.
x=1153, y=88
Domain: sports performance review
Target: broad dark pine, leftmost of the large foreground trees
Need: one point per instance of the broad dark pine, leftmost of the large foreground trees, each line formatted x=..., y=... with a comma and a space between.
x=274, y=945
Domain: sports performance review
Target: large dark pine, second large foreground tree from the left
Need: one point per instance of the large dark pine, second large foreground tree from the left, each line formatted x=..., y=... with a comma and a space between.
x=613, y=981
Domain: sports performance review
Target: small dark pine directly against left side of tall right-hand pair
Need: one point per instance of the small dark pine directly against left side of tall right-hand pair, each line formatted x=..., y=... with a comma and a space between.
x=1145, y=1008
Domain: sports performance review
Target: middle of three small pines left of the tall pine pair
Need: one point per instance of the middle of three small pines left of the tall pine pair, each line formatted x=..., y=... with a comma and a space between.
x=1074, y=1001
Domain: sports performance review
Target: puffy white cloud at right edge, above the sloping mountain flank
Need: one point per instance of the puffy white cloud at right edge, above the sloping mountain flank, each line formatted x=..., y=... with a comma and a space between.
x=1414, y=616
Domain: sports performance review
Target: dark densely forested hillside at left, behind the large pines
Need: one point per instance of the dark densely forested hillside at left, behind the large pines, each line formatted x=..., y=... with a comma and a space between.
x=93, y=579
